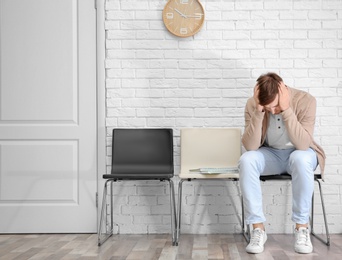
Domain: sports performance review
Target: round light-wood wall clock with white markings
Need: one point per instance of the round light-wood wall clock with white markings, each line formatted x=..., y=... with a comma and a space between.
x=183, y=18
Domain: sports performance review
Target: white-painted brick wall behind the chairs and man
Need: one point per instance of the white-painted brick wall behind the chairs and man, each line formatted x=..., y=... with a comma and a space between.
x=155, y=79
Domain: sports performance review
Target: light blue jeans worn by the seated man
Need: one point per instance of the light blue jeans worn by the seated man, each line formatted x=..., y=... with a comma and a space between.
x=269, y=161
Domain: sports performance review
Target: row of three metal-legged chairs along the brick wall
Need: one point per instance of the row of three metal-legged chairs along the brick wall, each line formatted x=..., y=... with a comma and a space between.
x=147, y=154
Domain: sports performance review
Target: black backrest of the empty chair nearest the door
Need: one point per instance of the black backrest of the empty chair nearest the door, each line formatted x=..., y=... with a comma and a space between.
x=142, y=153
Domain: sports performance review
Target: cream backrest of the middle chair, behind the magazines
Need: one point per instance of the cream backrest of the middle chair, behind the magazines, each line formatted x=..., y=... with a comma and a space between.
x=209, y=148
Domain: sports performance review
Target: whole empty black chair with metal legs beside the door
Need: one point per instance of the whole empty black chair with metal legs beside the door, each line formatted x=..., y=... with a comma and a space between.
x=151, y=149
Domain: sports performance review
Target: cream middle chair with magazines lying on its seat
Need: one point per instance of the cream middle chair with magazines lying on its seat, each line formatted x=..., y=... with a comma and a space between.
x=199, y=144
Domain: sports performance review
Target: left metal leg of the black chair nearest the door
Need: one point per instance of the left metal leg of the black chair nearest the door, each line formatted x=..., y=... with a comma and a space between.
x=102, y=237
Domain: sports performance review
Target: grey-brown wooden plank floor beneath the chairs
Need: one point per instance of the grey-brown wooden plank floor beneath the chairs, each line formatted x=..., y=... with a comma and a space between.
x=146, y=247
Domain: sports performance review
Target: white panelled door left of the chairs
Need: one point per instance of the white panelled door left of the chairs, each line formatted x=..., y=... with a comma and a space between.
x=47, y=116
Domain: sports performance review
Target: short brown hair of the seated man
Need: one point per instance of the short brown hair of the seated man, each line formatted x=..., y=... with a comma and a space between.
x=268, y=87
